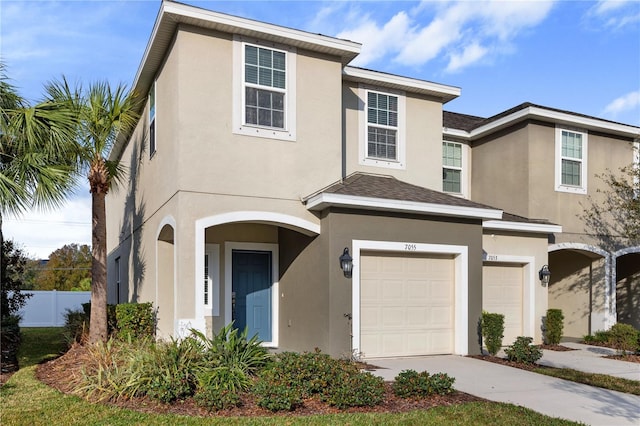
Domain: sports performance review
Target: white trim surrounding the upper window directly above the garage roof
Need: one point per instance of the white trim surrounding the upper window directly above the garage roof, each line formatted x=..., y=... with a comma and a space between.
x=365, y=160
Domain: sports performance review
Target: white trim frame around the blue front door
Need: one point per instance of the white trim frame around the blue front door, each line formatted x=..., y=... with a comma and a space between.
x=275, y=307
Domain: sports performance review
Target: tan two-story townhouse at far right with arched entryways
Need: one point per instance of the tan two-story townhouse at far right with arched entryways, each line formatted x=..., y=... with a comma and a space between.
x=542, y=162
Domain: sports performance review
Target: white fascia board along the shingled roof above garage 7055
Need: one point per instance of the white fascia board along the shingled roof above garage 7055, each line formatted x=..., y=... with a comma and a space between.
x=324, y=200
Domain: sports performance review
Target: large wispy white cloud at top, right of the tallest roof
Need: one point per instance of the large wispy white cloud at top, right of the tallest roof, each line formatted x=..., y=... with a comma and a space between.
x=459, y=30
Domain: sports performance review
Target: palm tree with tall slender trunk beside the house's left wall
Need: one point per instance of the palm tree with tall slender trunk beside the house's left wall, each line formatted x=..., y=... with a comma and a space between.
x=104, y=114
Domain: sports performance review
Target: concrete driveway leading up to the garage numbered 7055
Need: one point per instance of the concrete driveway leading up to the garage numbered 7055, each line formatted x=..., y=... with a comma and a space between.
x=544, y=394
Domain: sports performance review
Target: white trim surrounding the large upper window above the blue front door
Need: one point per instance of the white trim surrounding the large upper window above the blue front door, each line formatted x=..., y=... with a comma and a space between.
x=239, y=126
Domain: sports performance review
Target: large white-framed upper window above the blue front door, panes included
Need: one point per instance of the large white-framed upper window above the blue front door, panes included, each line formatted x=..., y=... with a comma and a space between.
x=264, y=89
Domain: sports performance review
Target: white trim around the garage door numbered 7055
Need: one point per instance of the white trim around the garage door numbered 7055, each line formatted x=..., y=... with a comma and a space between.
x=461, y=284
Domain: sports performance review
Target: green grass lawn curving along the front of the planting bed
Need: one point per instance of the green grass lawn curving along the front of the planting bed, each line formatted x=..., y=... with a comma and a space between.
x=26, y=401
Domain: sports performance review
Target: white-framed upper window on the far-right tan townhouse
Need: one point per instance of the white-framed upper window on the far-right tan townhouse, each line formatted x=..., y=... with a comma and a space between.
x=571, y=161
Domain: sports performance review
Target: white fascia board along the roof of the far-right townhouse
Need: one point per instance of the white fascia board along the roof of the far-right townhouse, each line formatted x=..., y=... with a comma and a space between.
x=556, y=117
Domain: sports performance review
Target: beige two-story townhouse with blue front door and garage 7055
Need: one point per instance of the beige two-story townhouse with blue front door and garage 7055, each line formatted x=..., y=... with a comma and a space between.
x=275, y=186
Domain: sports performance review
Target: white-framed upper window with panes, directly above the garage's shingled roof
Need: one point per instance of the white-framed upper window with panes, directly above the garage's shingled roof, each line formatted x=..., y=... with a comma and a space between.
x=382, y=118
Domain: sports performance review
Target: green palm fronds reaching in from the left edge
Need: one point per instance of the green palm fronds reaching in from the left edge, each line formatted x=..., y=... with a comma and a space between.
x=37, y=153
